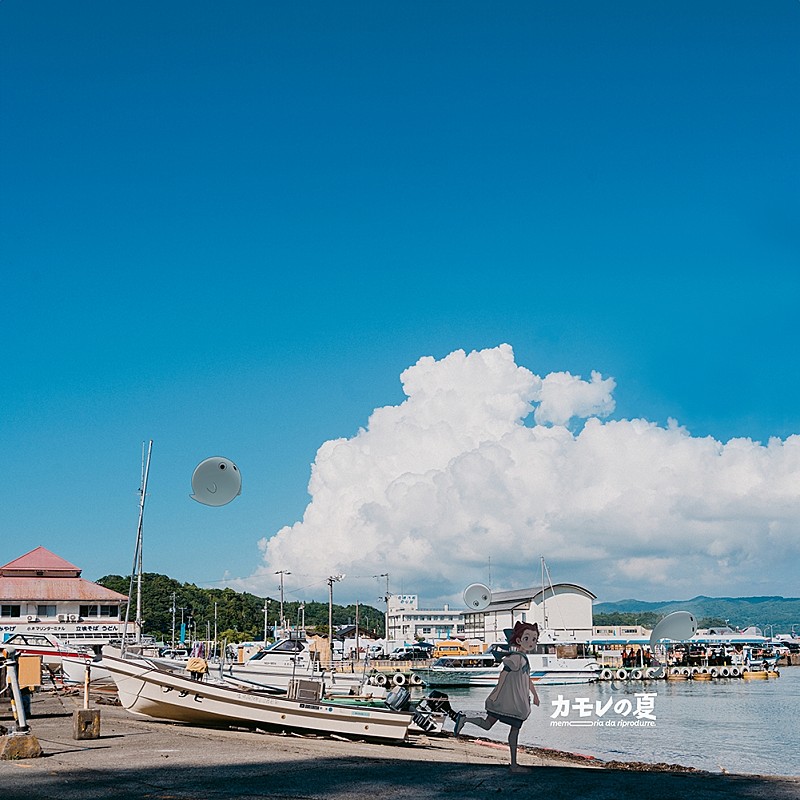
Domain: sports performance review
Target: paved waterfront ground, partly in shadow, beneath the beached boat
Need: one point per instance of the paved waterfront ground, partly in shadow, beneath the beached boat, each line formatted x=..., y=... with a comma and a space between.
x=136, y=757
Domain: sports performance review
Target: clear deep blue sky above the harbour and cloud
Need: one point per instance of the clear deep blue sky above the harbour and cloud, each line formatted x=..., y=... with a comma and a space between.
x=231, y=227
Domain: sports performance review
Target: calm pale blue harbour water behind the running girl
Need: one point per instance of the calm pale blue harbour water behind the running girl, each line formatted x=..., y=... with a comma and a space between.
x=735, y=725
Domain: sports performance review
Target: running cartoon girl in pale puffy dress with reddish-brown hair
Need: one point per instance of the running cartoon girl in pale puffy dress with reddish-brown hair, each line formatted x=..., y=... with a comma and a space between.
x=509, y=701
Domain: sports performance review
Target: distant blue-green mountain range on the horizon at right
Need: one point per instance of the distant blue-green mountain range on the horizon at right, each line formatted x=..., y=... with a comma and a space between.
x=740, y=612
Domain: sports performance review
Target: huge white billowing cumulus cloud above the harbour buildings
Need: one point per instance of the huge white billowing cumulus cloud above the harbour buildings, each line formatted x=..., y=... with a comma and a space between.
x=486, y=460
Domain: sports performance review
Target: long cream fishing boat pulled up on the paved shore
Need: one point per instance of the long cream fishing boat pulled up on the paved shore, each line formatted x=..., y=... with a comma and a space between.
x=143, y=688
